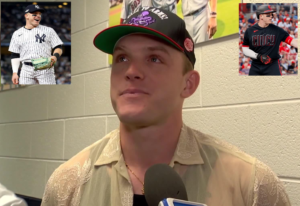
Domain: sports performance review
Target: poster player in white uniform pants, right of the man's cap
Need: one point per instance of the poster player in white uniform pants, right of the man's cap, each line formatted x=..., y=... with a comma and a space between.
x=200, y=18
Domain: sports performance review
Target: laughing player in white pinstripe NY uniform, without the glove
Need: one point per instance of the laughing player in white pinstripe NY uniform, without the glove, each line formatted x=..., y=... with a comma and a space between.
x=31, y=42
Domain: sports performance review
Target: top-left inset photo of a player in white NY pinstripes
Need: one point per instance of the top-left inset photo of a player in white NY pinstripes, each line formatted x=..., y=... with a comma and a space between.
x=35, y=43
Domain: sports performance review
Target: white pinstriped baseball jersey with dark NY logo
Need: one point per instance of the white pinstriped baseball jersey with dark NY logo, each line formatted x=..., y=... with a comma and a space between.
x=34, y=43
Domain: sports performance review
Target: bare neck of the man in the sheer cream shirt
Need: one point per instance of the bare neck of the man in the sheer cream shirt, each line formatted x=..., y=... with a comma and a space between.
x=144, y=147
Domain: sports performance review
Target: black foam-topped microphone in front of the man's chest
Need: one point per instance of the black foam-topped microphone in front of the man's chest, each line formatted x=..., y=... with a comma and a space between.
x=164, y=187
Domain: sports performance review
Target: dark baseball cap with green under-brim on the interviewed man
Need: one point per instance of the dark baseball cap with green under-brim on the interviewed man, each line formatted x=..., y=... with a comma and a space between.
x=163, y=24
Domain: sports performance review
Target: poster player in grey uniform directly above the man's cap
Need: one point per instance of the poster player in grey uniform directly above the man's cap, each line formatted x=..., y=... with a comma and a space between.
x=131, y=6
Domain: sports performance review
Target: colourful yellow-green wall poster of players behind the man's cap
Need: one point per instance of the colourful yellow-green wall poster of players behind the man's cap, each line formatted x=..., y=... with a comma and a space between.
x=220, y=15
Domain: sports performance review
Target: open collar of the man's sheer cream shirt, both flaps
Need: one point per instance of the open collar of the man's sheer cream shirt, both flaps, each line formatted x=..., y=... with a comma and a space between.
x=186, y=153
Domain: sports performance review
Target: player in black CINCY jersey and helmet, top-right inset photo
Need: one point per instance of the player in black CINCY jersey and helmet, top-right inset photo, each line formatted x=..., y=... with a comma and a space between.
x=261, y=43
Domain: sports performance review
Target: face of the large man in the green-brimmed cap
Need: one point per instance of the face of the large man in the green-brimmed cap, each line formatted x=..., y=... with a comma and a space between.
x=146, y=80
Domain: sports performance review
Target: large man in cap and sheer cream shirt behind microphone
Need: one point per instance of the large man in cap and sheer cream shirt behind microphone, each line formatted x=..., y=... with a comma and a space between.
x=152, y=73
